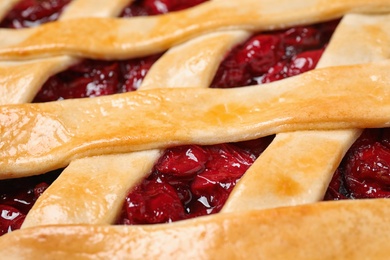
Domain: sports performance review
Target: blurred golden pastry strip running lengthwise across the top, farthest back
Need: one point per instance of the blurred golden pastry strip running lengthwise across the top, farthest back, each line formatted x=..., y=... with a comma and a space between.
x=121, y=38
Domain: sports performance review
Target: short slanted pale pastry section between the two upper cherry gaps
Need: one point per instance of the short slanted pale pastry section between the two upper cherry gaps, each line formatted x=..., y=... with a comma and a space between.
x=192, y=64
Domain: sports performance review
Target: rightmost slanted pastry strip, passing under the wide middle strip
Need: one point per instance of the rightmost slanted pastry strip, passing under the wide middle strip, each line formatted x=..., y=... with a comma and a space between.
x=309, y=159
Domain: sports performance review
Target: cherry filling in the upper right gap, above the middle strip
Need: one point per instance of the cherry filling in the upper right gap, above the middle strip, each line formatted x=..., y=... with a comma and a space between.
x=273, y=56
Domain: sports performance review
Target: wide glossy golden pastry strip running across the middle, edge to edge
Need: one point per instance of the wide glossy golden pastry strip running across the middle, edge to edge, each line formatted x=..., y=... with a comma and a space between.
x=36, y=138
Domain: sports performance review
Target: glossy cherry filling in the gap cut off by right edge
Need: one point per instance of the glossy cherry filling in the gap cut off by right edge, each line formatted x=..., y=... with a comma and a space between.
x=365, y=169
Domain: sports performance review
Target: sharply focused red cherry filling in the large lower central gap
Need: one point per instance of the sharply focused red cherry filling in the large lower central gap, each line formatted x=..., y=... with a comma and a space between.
x=190, y=181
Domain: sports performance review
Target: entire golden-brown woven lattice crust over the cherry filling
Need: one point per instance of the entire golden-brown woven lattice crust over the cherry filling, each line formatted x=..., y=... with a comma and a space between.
x=215, y=116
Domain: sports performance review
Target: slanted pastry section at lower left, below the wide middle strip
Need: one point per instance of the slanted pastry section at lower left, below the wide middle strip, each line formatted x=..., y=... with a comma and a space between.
x=91, y=190
